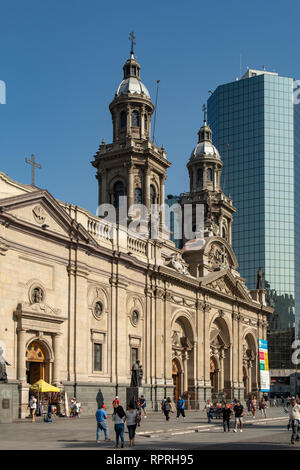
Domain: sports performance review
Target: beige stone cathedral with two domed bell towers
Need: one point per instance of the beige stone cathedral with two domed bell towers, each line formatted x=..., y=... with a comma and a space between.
x=82, y=298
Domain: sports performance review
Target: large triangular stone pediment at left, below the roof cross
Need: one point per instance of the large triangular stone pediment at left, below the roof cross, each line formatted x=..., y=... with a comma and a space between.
x=40, y=209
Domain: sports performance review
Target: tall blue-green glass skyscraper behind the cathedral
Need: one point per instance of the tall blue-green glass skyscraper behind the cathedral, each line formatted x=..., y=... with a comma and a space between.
x=256, y=129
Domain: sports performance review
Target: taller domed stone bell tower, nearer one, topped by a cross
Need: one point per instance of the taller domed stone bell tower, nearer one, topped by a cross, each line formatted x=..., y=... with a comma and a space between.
x=131, y=165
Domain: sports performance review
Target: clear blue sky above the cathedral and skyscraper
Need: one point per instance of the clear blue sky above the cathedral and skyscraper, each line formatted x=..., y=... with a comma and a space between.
x=62, y=63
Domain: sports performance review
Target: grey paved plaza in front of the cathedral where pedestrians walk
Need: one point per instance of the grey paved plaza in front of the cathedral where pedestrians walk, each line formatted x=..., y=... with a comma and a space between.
x=154, y=434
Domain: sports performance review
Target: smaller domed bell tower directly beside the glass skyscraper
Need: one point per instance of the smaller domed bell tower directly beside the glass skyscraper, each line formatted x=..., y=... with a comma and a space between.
x=205, y=167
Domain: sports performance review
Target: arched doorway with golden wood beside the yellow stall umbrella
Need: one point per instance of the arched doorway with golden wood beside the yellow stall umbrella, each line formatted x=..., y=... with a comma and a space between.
x=36, y=363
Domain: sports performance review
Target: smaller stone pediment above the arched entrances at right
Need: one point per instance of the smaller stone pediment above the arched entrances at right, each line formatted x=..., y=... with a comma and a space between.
x=225, y=283
